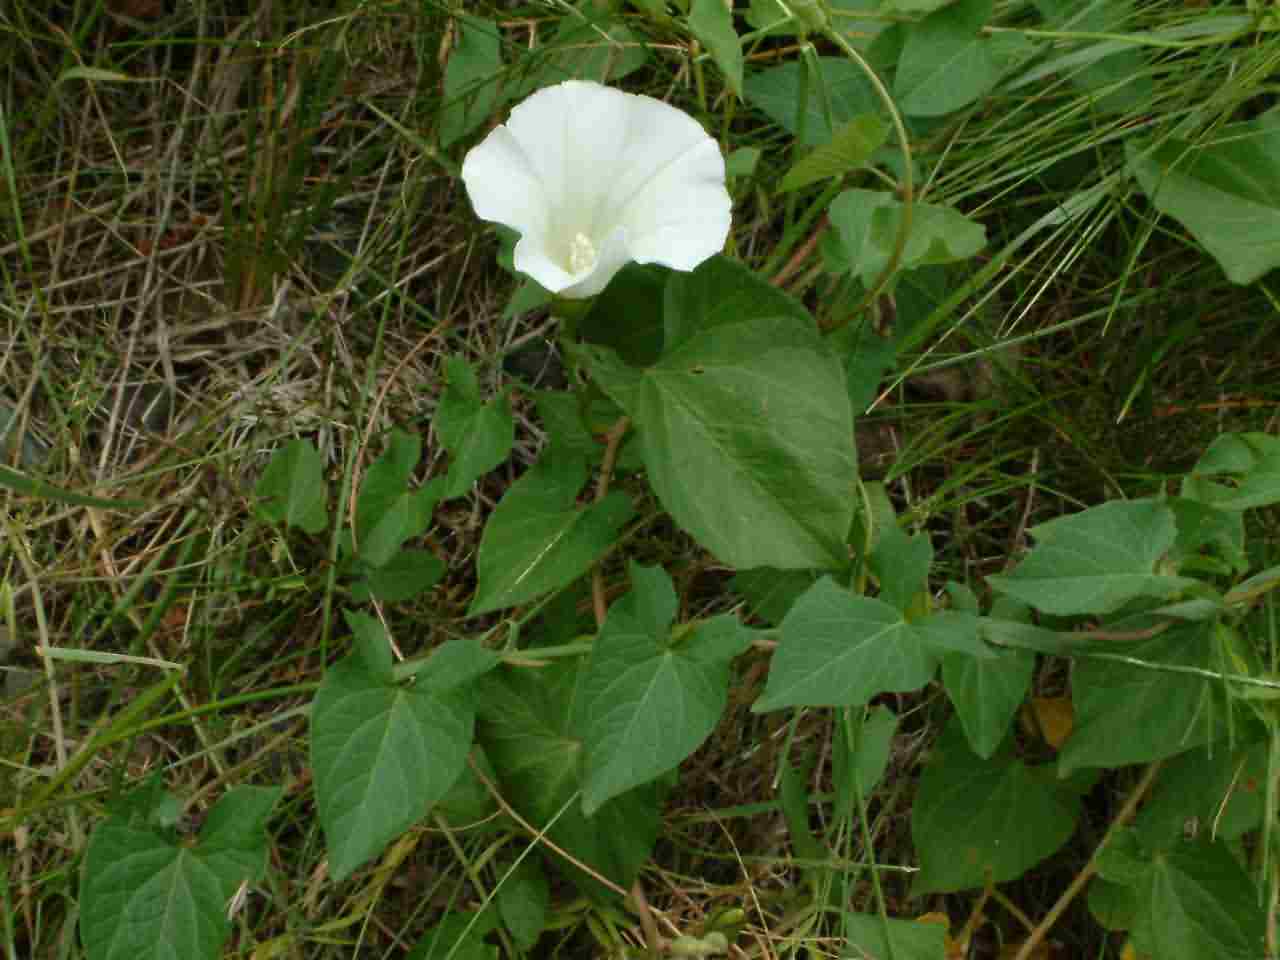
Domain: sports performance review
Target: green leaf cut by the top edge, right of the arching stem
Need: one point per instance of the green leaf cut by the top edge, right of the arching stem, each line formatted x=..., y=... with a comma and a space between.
x=947, y=62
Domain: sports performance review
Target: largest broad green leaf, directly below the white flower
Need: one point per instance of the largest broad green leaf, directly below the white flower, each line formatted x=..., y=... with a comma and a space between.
x=748, y=437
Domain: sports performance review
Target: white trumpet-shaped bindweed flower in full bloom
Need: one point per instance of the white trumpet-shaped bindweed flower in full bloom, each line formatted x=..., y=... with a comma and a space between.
x=593, y=179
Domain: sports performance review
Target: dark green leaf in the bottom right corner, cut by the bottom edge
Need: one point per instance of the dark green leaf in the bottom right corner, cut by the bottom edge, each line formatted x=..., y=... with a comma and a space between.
x=1199, y=903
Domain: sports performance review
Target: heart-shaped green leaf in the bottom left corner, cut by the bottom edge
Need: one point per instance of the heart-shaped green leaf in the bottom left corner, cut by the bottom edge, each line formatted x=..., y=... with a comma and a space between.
x=147, y=898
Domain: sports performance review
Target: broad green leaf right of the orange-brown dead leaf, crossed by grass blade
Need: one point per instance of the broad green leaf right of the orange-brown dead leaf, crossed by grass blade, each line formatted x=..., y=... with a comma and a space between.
x=1135, y=712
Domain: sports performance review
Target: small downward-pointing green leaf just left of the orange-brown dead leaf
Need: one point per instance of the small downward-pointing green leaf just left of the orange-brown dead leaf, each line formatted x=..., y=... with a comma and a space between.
x=988, y=694
